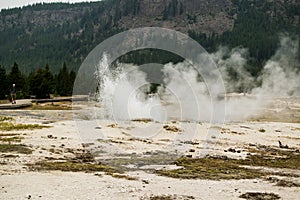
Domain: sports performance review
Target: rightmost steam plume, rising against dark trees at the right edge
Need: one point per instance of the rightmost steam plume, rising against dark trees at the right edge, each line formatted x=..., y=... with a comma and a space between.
x=281, y=77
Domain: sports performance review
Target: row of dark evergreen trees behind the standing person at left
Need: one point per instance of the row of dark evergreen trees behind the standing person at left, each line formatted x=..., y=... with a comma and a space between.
x=40, y=84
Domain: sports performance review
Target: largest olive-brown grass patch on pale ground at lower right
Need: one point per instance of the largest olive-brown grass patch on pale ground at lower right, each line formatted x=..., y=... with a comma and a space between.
x=216, y=168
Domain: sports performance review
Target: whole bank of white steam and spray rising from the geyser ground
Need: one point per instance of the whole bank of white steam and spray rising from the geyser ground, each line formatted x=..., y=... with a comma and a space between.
x=125, y=91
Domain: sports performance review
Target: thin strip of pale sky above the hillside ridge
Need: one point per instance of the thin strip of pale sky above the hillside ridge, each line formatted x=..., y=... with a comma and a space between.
x=20, y=3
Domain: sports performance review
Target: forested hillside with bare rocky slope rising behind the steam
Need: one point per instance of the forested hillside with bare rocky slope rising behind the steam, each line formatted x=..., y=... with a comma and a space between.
x=46, y=43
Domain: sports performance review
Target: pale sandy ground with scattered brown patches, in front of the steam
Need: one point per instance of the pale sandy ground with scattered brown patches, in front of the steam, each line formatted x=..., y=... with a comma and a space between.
x=135, y=152
